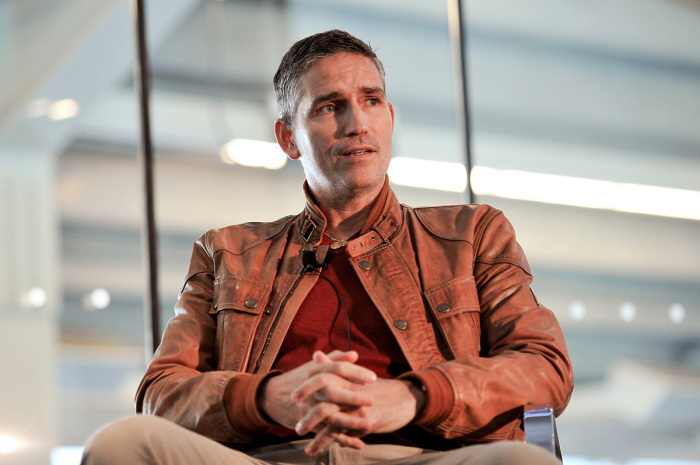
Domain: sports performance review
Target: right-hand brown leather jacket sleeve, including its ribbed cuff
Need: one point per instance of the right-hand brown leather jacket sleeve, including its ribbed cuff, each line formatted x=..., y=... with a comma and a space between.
x=523, y=357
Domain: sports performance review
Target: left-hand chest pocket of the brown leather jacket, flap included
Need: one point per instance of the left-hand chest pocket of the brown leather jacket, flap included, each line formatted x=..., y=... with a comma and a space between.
x=237, y=306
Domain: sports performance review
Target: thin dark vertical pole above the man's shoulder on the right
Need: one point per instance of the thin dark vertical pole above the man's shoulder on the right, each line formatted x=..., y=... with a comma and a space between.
x=456, y=12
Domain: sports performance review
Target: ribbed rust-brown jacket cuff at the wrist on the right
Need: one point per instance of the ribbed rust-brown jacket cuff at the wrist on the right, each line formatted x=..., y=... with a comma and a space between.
x=439, y=397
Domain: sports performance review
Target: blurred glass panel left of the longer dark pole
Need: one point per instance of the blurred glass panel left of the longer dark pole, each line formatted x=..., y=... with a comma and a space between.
x=71, y=324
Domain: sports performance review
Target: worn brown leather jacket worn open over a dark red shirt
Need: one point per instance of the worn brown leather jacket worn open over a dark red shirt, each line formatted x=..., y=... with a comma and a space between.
x=451, y=282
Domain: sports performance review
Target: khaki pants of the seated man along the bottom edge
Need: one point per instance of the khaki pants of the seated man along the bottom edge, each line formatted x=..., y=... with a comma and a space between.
x=148, y=440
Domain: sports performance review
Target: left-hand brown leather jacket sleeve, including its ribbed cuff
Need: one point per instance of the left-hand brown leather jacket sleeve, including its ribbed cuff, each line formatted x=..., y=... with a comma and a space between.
x=182, y=382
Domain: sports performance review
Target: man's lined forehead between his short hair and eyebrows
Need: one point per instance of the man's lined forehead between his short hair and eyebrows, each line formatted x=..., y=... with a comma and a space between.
x=343, y=72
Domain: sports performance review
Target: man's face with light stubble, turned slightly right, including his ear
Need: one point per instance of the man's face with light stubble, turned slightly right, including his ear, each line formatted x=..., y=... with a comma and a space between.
x=342, y=127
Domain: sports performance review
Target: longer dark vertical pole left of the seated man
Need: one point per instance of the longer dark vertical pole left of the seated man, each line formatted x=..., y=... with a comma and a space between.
x=148, y=230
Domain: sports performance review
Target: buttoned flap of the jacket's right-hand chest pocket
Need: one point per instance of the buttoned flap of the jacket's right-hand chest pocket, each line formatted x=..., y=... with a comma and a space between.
x=453, y=297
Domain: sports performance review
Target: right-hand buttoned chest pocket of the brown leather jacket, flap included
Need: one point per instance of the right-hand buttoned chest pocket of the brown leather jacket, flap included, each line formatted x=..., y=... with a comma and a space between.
x=455, y=308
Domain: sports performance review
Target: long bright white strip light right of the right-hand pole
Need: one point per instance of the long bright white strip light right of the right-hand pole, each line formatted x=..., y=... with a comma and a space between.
x=588, y=193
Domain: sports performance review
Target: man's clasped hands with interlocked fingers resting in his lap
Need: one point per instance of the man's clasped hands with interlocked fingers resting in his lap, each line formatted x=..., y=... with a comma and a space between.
x=339, y=400
